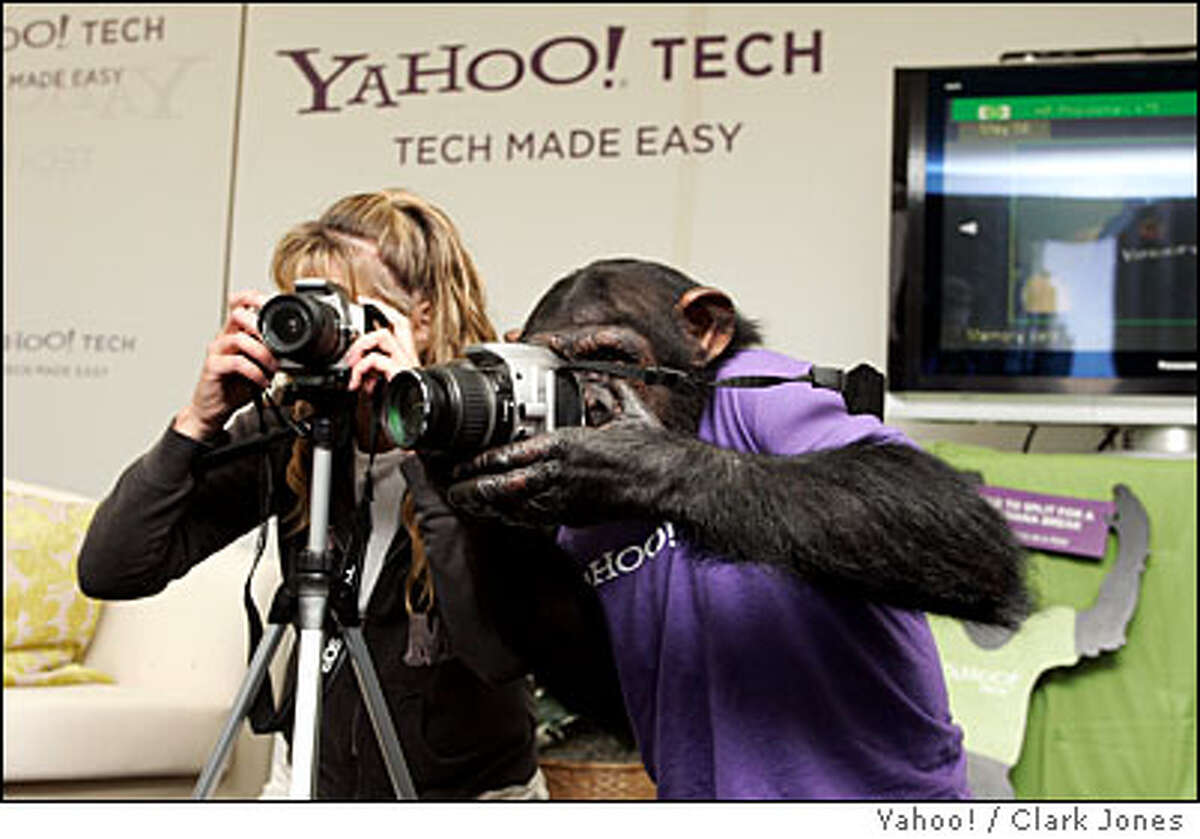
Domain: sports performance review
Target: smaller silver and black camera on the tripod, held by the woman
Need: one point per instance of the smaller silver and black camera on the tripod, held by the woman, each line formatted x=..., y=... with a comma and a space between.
x=309, y=332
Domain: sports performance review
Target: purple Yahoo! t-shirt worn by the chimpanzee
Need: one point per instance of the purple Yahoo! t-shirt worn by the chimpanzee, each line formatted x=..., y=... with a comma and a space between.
x=746, y=682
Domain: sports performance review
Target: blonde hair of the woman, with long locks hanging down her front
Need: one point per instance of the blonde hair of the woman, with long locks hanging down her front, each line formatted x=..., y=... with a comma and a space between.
x=400, y=249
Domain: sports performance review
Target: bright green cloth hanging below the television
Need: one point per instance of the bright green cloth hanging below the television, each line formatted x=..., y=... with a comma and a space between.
x=1124, y=726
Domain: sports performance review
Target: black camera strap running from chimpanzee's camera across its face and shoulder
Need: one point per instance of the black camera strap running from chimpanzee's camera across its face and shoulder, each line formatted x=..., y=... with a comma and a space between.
x=861, y=388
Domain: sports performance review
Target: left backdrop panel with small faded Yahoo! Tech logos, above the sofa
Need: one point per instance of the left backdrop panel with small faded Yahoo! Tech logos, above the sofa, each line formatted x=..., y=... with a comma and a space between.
x=118, y=143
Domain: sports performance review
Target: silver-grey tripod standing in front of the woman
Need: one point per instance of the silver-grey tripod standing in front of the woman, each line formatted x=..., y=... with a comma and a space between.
x=311, y=584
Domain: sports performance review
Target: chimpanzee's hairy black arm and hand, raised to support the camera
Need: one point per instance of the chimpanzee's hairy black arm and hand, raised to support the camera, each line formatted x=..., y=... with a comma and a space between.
x=880, y=522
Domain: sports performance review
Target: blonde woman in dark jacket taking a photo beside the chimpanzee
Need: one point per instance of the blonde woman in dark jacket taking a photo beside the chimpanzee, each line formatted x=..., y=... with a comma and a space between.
x=461, y=706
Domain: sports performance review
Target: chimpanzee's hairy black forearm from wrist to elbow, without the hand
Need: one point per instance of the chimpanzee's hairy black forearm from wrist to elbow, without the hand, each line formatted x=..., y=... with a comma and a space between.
x=884, y=522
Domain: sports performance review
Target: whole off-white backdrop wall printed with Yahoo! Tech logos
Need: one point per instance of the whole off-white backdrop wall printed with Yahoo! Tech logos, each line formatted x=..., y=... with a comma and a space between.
x=748, y=146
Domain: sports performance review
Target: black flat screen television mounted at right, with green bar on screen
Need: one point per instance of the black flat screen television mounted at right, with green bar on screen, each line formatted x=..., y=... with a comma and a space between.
x=1045, y=243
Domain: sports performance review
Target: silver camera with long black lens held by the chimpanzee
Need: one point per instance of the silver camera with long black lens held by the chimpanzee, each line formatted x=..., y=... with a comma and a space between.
x=497, y=394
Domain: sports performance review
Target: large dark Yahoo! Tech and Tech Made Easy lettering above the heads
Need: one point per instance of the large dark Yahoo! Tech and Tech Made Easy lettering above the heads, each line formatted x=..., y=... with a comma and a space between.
x=346, y=81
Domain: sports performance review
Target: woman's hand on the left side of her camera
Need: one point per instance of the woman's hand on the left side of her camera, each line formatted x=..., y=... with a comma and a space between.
x=238, y=364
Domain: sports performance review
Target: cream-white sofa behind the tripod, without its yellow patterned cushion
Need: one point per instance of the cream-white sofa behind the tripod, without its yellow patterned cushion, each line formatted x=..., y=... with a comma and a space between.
x=178, y=660
